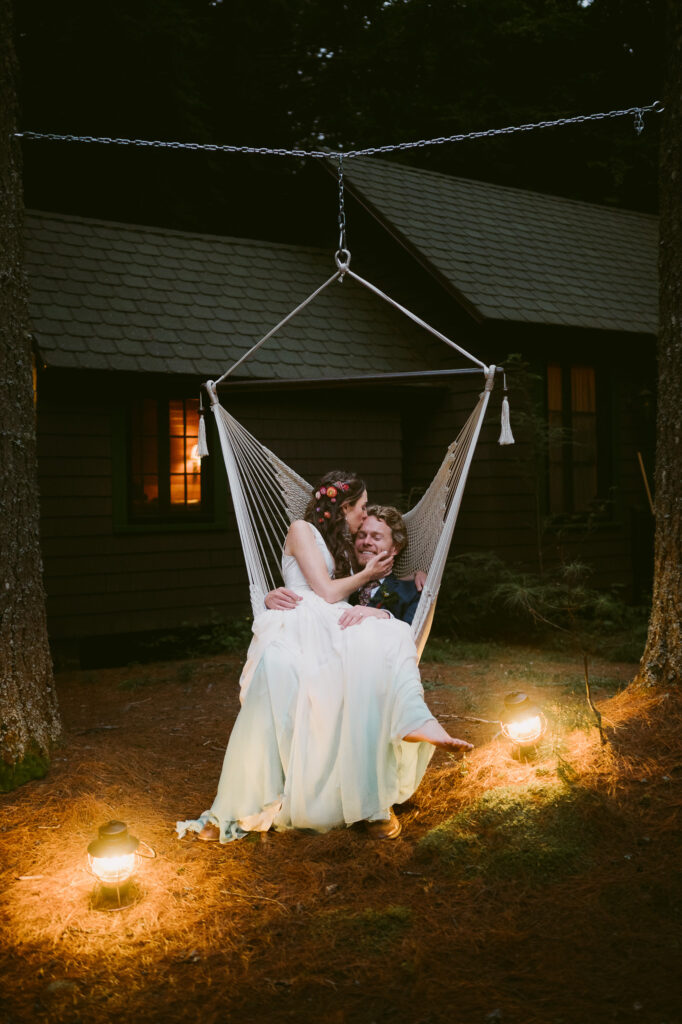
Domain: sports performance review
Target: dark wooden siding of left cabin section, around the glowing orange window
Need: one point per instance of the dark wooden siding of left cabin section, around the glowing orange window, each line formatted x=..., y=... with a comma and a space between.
x=104, y=582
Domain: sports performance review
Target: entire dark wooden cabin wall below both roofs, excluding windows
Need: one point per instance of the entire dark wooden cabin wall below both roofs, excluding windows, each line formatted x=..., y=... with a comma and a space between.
x=102, y=582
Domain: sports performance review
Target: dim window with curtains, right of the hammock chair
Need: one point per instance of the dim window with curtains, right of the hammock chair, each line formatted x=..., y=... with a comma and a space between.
x=572, y=406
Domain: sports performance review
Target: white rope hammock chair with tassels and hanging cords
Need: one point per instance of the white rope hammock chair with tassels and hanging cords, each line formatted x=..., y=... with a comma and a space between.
x=268, y=495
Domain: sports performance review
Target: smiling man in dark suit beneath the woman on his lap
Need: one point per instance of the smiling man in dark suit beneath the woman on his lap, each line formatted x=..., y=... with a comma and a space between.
x=383, y=530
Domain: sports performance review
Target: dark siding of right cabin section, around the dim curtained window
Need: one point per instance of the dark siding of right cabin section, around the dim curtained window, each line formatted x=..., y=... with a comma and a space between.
x=504, y=508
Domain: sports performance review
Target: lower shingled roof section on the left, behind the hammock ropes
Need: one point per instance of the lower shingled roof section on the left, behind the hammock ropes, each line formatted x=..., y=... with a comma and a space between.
x=110, y=296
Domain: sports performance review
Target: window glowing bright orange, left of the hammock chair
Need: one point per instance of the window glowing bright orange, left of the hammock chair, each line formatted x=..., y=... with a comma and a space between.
x=167, y=481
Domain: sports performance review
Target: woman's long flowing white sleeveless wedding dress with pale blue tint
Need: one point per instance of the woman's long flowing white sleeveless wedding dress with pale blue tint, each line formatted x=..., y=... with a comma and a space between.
x=319, y=740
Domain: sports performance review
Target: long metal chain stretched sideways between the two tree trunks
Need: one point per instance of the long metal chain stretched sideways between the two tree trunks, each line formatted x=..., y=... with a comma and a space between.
x=636, y=112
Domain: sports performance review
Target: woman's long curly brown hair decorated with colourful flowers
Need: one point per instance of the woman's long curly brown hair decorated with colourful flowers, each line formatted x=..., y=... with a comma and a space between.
x=325, y=511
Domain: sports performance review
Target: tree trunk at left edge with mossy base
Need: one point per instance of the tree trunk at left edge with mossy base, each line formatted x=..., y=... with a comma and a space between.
x=29, y=716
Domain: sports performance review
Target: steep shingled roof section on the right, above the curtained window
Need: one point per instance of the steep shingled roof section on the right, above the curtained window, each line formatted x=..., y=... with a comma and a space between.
x=516, y=255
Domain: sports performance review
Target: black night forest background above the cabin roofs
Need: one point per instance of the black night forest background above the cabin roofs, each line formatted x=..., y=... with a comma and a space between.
x=287, y=74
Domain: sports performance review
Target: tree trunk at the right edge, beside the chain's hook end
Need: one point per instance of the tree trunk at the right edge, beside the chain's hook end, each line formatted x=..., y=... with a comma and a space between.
x=662, y=662
